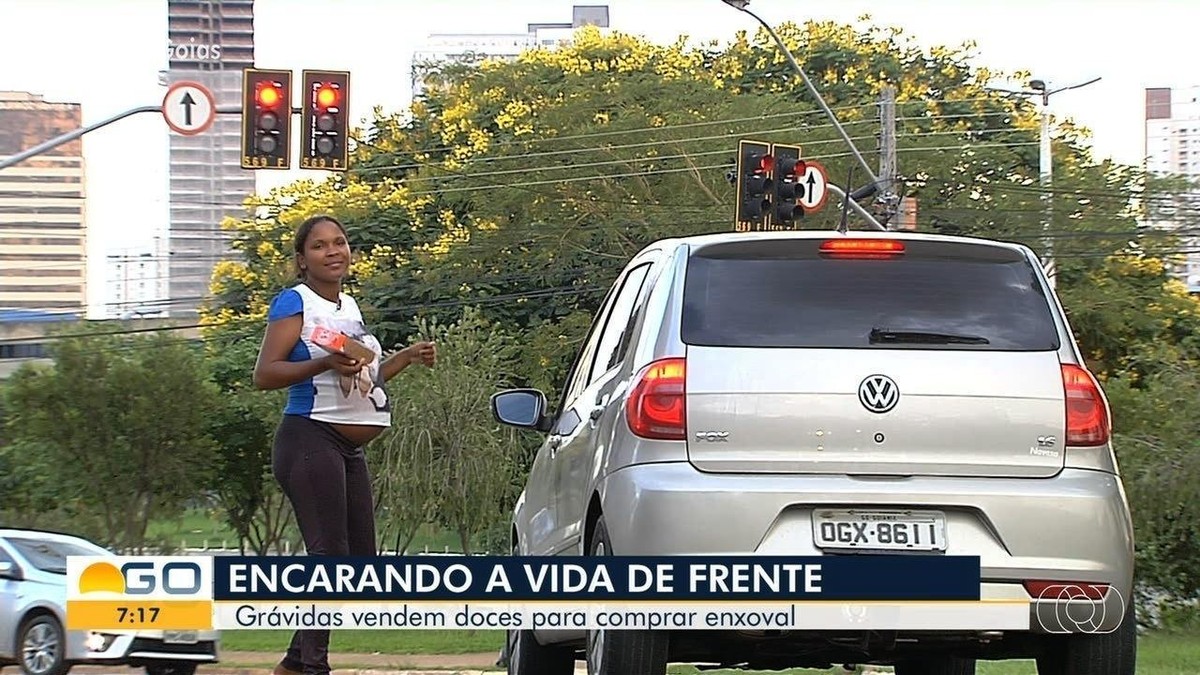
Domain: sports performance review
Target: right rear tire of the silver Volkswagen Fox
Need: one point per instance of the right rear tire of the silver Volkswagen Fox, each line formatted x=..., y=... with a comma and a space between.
x=1097, y=654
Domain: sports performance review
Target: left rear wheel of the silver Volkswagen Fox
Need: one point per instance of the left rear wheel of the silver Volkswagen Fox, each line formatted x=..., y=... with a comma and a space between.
x=623, y=653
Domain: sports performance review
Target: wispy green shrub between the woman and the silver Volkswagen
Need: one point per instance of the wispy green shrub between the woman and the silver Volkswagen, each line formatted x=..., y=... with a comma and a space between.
x=446, y=461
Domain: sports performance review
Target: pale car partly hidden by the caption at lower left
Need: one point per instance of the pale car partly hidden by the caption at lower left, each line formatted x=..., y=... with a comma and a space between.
x=33, y=617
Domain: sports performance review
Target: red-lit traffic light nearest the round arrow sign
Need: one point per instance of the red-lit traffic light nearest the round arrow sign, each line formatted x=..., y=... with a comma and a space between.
x=266, y=120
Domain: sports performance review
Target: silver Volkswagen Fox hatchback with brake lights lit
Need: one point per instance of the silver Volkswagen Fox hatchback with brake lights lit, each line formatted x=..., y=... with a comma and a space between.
x=739, y=391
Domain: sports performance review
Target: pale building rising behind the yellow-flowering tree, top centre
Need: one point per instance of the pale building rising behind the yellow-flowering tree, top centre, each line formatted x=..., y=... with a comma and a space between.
x=473, y=47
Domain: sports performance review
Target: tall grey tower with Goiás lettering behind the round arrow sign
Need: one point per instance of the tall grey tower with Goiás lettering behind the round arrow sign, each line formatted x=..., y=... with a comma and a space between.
x=211, y=43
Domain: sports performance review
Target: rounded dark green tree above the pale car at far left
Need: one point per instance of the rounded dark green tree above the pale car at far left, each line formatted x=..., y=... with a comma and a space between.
x=123, y=427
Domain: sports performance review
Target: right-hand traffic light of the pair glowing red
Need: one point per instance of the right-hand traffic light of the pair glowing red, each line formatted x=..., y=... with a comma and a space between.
x=325, y=121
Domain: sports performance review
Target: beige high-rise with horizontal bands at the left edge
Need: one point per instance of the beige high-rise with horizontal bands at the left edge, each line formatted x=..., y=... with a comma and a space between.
x=44, y=234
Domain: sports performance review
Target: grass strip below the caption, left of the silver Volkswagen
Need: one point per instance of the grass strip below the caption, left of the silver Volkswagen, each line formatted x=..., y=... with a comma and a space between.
x=371, y=642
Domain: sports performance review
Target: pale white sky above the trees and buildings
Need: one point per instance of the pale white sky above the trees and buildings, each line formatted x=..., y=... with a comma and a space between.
x=57, y=49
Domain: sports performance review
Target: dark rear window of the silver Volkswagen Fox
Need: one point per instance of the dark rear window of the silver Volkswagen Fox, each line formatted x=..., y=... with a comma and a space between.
x=785, y=294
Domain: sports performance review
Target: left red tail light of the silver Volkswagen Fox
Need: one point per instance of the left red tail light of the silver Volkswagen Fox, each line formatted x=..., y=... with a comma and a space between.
x=657, y=407
